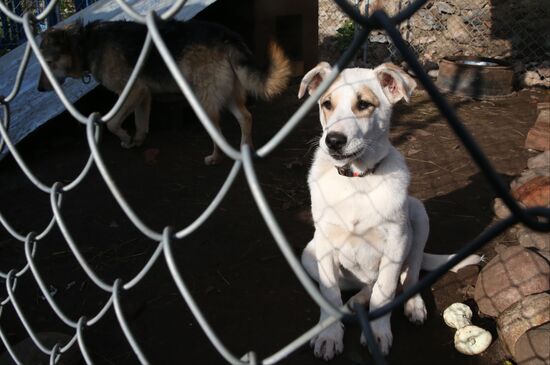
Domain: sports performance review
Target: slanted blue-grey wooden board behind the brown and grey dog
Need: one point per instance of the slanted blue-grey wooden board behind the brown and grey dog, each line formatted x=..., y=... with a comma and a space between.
x=30, y=109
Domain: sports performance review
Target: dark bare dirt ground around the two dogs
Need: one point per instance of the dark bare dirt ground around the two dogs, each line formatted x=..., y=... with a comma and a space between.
x=232, y=265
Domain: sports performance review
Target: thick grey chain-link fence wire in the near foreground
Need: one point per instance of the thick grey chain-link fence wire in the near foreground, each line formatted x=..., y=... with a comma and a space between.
x=535, y=218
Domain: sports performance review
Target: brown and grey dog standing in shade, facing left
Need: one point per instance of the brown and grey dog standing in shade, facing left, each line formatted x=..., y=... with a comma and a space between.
x=215, y=61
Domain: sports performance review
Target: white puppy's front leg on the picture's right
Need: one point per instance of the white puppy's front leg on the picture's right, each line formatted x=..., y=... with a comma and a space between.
x=385, y=286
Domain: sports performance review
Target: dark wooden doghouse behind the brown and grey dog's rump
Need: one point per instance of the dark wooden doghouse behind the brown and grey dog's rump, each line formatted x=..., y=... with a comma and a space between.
x=292, y=23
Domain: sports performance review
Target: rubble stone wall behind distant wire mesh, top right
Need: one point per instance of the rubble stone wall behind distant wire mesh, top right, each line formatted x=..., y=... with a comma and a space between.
x=511, y=30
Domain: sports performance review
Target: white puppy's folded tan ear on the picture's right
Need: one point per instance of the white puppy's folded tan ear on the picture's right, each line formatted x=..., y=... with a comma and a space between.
x=395, y=82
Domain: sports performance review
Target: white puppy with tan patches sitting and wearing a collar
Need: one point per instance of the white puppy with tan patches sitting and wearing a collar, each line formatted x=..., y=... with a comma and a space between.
x=369, y=233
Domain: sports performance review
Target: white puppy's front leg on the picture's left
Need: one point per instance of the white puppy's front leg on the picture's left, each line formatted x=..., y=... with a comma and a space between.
x=330, y=342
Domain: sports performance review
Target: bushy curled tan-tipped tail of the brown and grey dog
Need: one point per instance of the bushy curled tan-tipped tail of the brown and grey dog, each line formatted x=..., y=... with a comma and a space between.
x=264, y=82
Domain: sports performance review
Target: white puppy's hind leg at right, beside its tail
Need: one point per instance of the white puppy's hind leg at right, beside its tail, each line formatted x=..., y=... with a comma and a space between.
x=415, y=308
